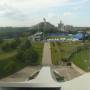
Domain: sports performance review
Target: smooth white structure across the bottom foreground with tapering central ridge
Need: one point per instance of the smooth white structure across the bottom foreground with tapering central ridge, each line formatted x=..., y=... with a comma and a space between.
x=46, y=80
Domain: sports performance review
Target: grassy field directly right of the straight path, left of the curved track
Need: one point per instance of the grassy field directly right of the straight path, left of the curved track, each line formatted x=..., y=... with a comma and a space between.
x=62, y=50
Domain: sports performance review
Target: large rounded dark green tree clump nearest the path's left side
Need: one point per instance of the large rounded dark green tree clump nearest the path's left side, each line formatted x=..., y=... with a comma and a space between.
x=29, y=56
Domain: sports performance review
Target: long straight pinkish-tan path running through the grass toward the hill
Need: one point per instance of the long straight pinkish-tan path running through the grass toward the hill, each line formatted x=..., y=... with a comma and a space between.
x=46, y=60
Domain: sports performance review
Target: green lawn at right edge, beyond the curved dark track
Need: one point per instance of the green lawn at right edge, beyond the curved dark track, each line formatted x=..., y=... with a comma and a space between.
x=82, y=59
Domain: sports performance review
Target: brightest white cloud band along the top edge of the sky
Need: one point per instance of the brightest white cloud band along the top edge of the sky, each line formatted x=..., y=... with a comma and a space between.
x=34, y=3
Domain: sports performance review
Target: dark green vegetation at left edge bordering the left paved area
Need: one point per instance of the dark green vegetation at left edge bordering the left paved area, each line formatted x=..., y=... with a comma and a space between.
x=9, y=66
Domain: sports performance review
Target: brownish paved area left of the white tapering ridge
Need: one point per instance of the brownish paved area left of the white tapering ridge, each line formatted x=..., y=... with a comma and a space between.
x=21, y=75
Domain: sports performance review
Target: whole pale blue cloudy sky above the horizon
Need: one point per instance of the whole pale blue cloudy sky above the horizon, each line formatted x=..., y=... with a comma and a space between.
x=30, y=12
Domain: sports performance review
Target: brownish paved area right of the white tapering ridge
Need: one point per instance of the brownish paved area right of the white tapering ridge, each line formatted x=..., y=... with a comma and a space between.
x=67, y=72
